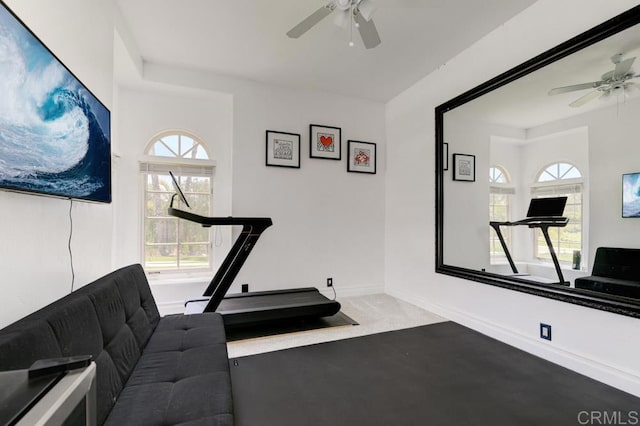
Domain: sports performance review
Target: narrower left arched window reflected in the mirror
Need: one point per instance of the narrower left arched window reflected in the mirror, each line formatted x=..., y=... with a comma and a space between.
x=500, y=206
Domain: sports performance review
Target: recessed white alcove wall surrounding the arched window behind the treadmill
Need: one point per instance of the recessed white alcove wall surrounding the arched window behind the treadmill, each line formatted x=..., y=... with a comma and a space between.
x=142, y=115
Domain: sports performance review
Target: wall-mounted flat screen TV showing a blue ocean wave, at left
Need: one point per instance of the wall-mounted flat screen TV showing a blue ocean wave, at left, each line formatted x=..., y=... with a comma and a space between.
x=54, y=133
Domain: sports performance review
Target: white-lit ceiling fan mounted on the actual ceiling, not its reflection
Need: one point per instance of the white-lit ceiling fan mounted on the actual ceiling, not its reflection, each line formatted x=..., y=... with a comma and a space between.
x=350, y=13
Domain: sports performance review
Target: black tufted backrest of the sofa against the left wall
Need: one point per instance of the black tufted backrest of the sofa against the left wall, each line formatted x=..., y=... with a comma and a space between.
x=111, y=319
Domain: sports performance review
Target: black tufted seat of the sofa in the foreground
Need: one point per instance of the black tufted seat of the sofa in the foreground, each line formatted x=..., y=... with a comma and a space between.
x=182, y=376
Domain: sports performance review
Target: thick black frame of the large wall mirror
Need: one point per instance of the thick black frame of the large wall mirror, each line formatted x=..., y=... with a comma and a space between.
x=619, y=305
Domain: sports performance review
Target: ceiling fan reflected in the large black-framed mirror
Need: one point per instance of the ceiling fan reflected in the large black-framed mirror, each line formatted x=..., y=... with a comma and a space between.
x=612, y=82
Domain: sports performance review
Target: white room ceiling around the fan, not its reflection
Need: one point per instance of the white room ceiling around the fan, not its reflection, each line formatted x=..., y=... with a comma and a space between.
x=246, y=39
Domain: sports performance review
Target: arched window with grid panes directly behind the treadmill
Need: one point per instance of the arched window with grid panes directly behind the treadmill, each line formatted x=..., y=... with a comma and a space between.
x=169, y=243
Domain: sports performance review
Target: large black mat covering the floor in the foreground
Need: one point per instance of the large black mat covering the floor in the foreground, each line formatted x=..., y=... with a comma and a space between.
x=439, y=374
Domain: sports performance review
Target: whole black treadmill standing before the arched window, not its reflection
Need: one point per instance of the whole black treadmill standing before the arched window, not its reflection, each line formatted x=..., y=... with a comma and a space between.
x=256, y=307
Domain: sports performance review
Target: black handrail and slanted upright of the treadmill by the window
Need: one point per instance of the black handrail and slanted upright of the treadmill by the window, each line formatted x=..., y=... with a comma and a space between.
x=252, y=228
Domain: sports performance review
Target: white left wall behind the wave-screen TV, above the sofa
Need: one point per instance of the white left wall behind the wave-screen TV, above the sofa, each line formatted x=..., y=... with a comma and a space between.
x=35, y=230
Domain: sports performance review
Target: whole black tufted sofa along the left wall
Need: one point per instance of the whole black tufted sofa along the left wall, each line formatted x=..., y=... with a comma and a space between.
x=151, y=370
